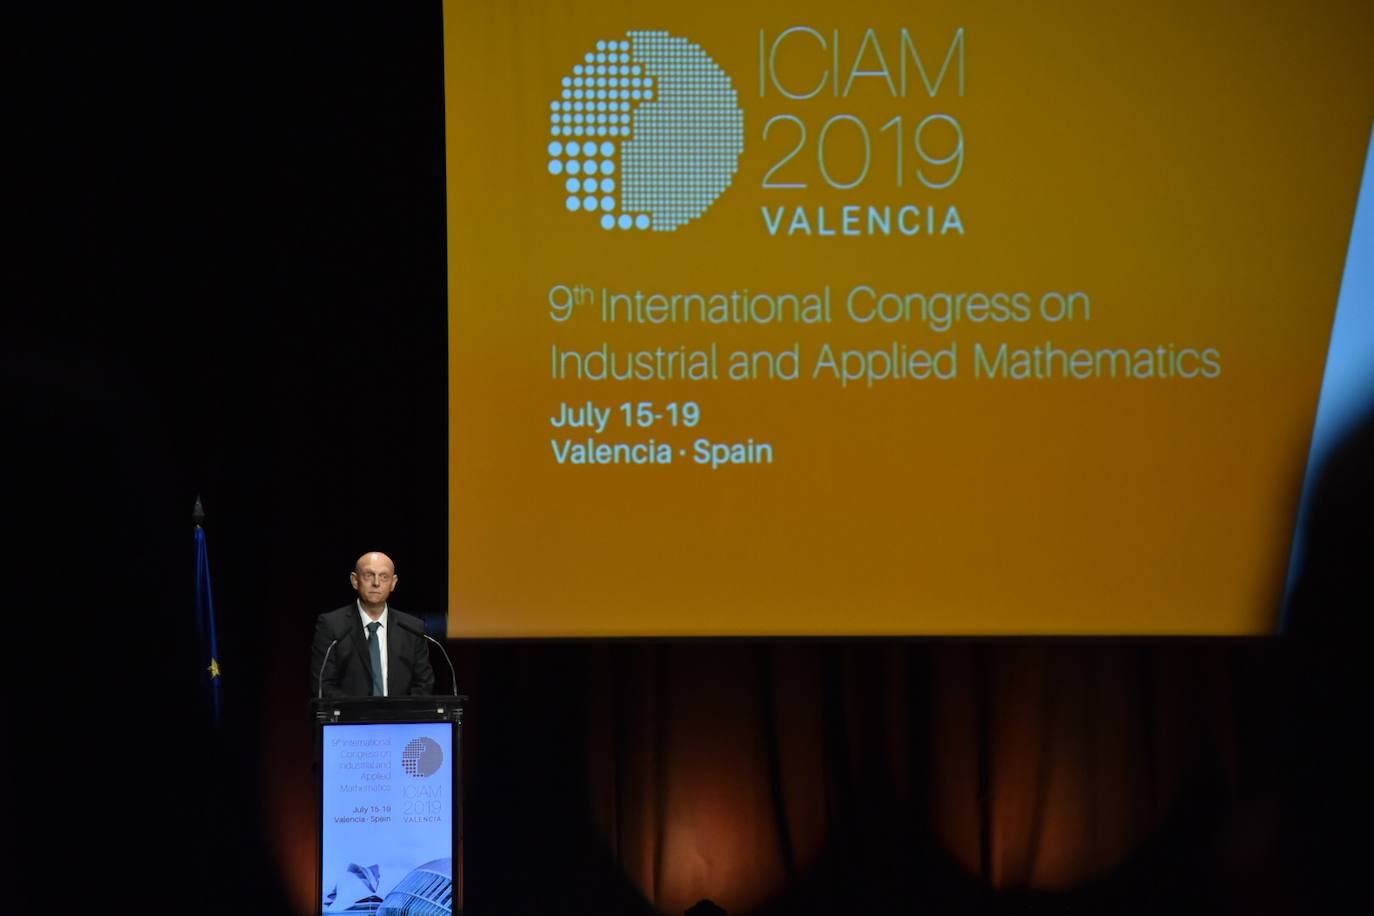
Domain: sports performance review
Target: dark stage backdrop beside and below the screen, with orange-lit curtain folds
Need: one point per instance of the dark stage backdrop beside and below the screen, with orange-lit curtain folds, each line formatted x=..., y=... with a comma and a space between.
x=245, y=301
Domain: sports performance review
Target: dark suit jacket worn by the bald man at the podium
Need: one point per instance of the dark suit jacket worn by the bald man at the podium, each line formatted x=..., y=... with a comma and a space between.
x=350, y=668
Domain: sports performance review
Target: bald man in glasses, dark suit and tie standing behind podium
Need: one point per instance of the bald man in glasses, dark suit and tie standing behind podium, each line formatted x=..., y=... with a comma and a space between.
x=369, y=649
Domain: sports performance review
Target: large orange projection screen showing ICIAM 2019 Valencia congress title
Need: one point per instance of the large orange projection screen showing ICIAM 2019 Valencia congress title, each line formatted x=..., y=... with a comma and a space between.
x=890, y=319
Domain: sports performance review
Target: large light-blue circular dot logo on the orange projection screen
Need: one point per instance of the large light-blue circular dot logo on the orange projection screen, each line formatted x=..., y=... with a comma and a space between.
x=646, y=134
